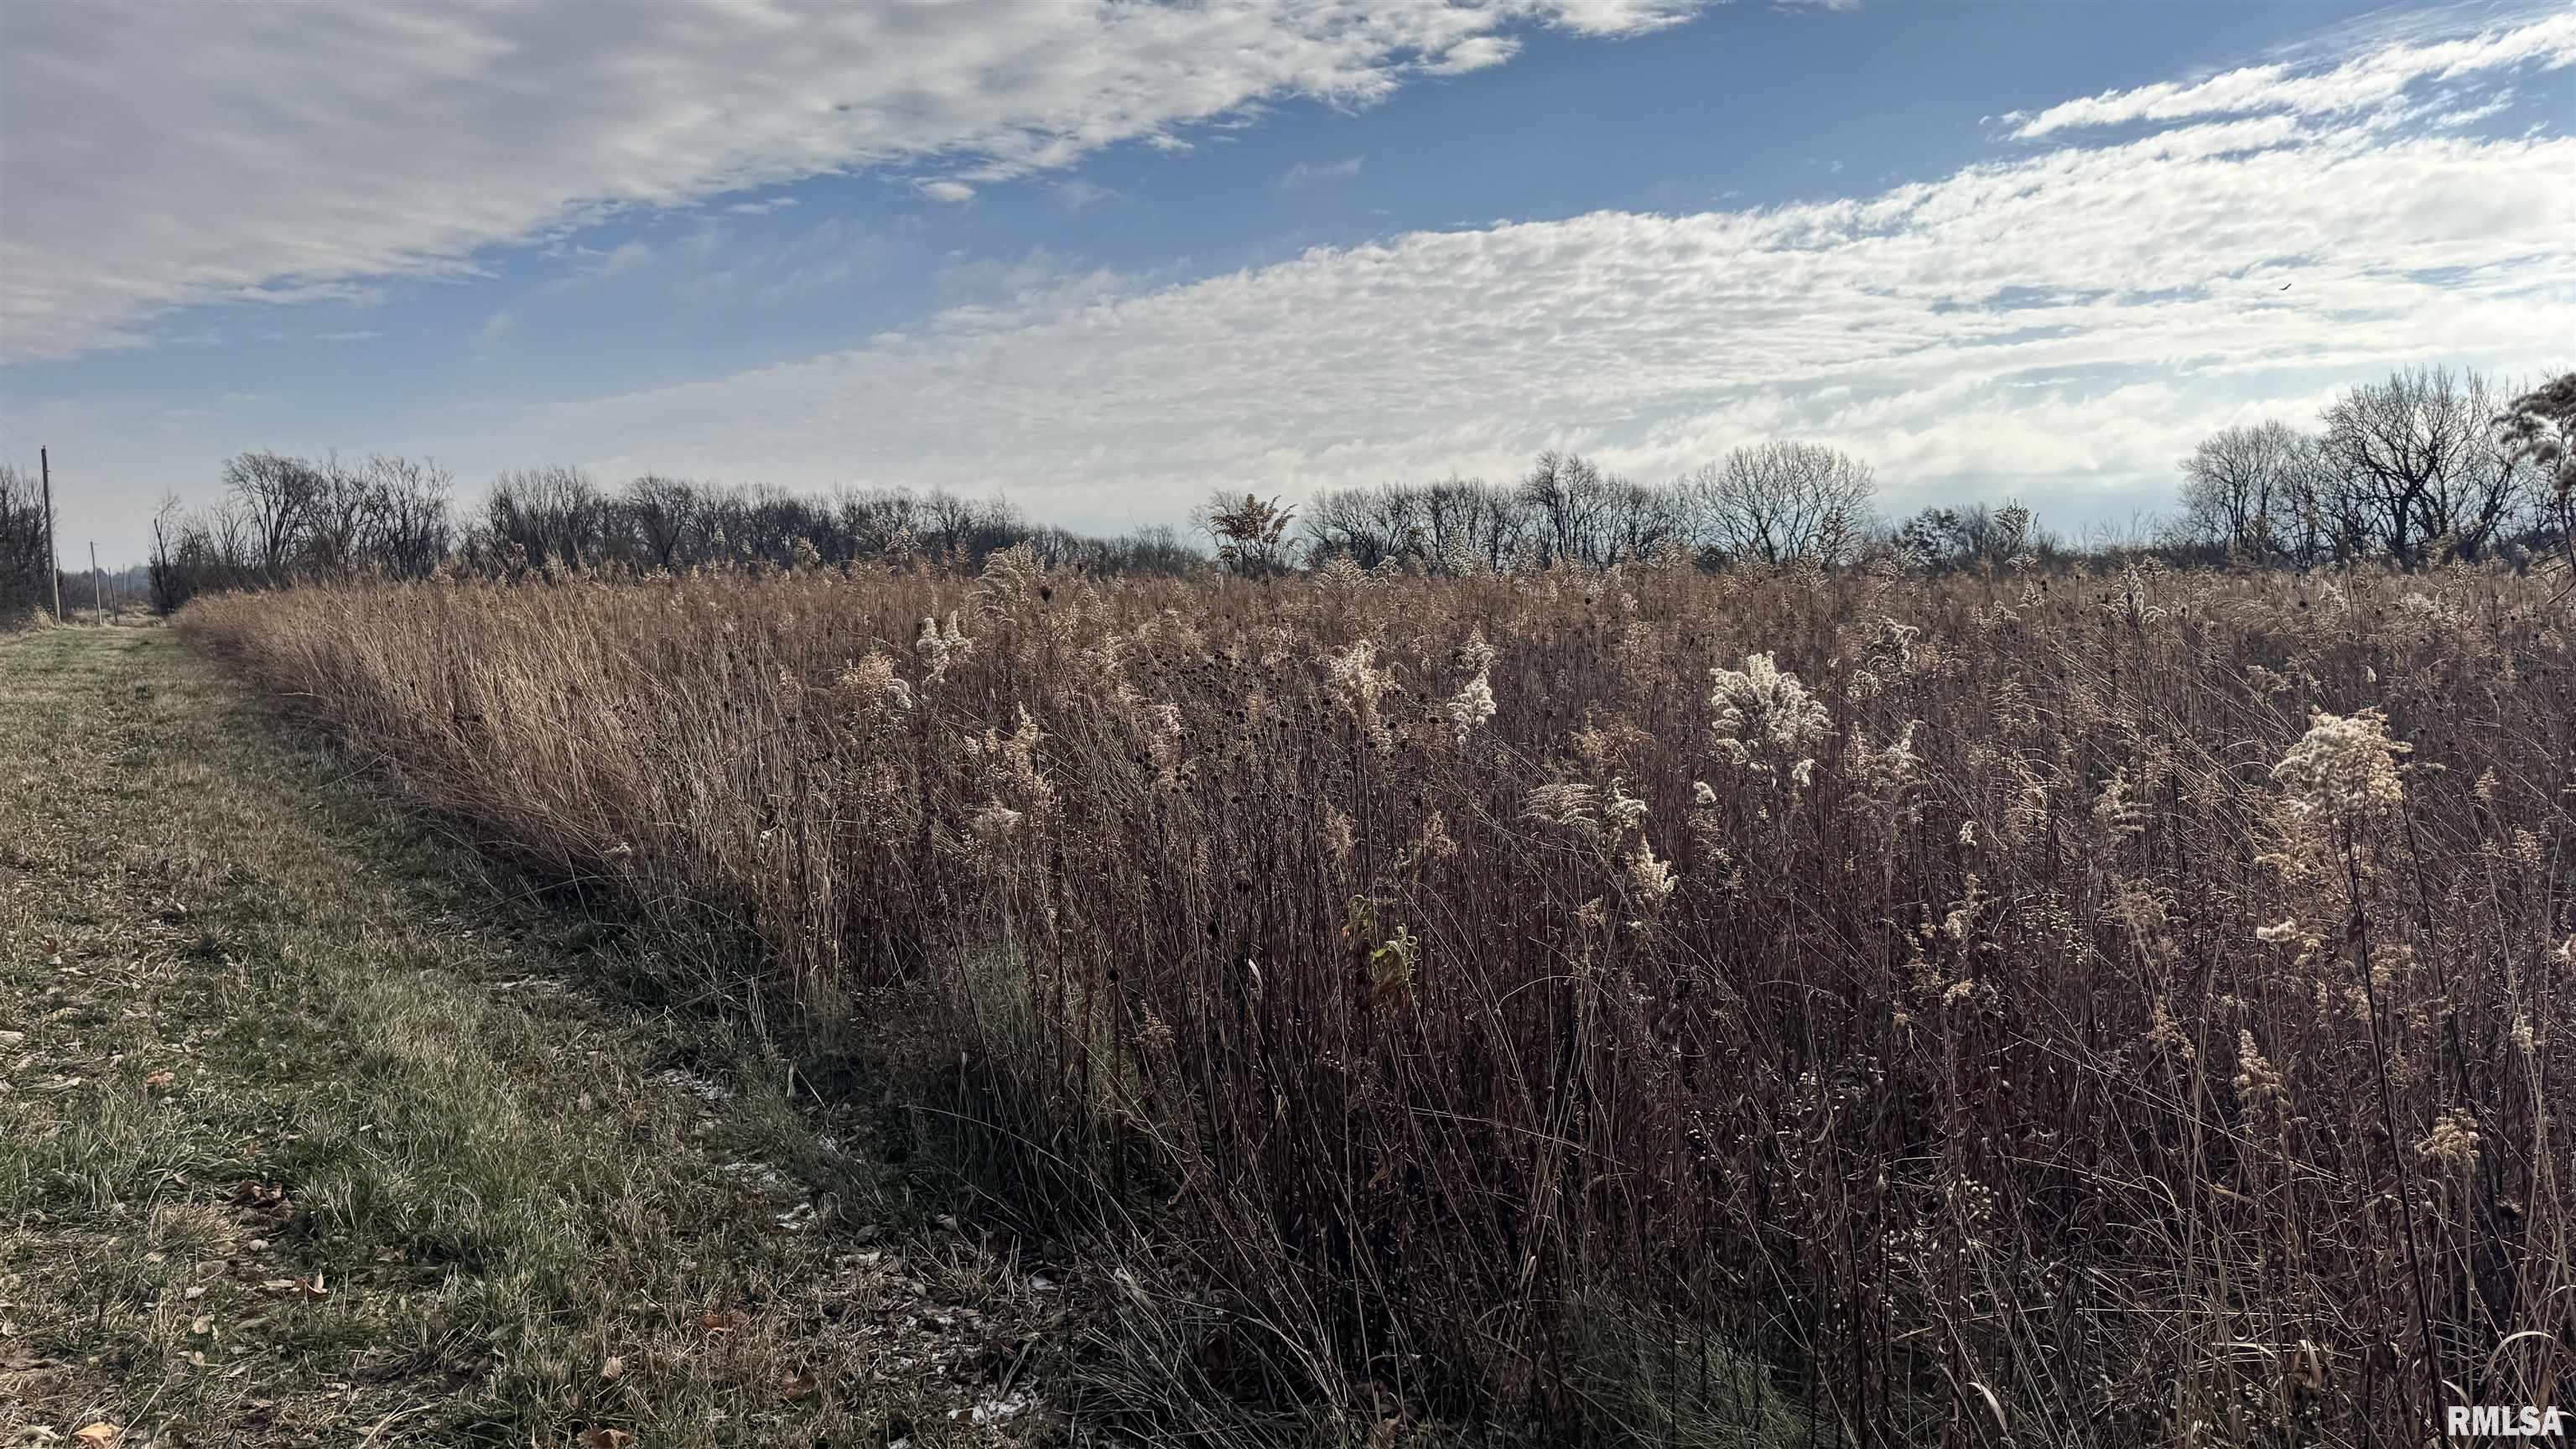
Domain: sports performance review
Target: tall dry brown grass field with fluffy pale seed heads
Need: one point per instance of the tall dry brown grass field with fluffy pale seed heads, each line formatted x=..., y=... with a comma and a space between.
x=2067, y=1009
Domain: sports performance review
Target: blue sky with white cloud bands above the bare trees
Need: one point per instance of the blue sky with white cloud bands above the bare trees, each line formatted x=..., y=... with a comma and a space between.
x=1112, y=257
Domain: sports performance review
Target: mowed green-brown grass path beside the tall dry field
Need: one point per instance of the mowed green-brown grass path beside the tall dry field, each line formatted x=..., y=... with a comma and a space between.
x=313, y=1133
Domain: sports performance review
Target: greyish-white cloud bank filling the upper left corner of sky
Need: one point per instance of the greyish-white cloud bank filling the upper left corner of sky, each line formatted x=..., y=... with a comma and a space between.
x=264, y=151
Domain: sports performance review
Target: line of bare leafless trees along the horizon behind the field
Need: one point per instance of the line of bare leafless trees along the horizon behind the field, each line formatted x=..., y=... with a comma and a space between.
x=2420, y=468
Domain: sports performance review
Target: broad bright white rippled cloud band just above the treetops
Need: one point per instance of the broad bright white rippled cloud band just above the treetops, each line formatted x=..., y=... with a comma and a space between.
x=2065, y=326
